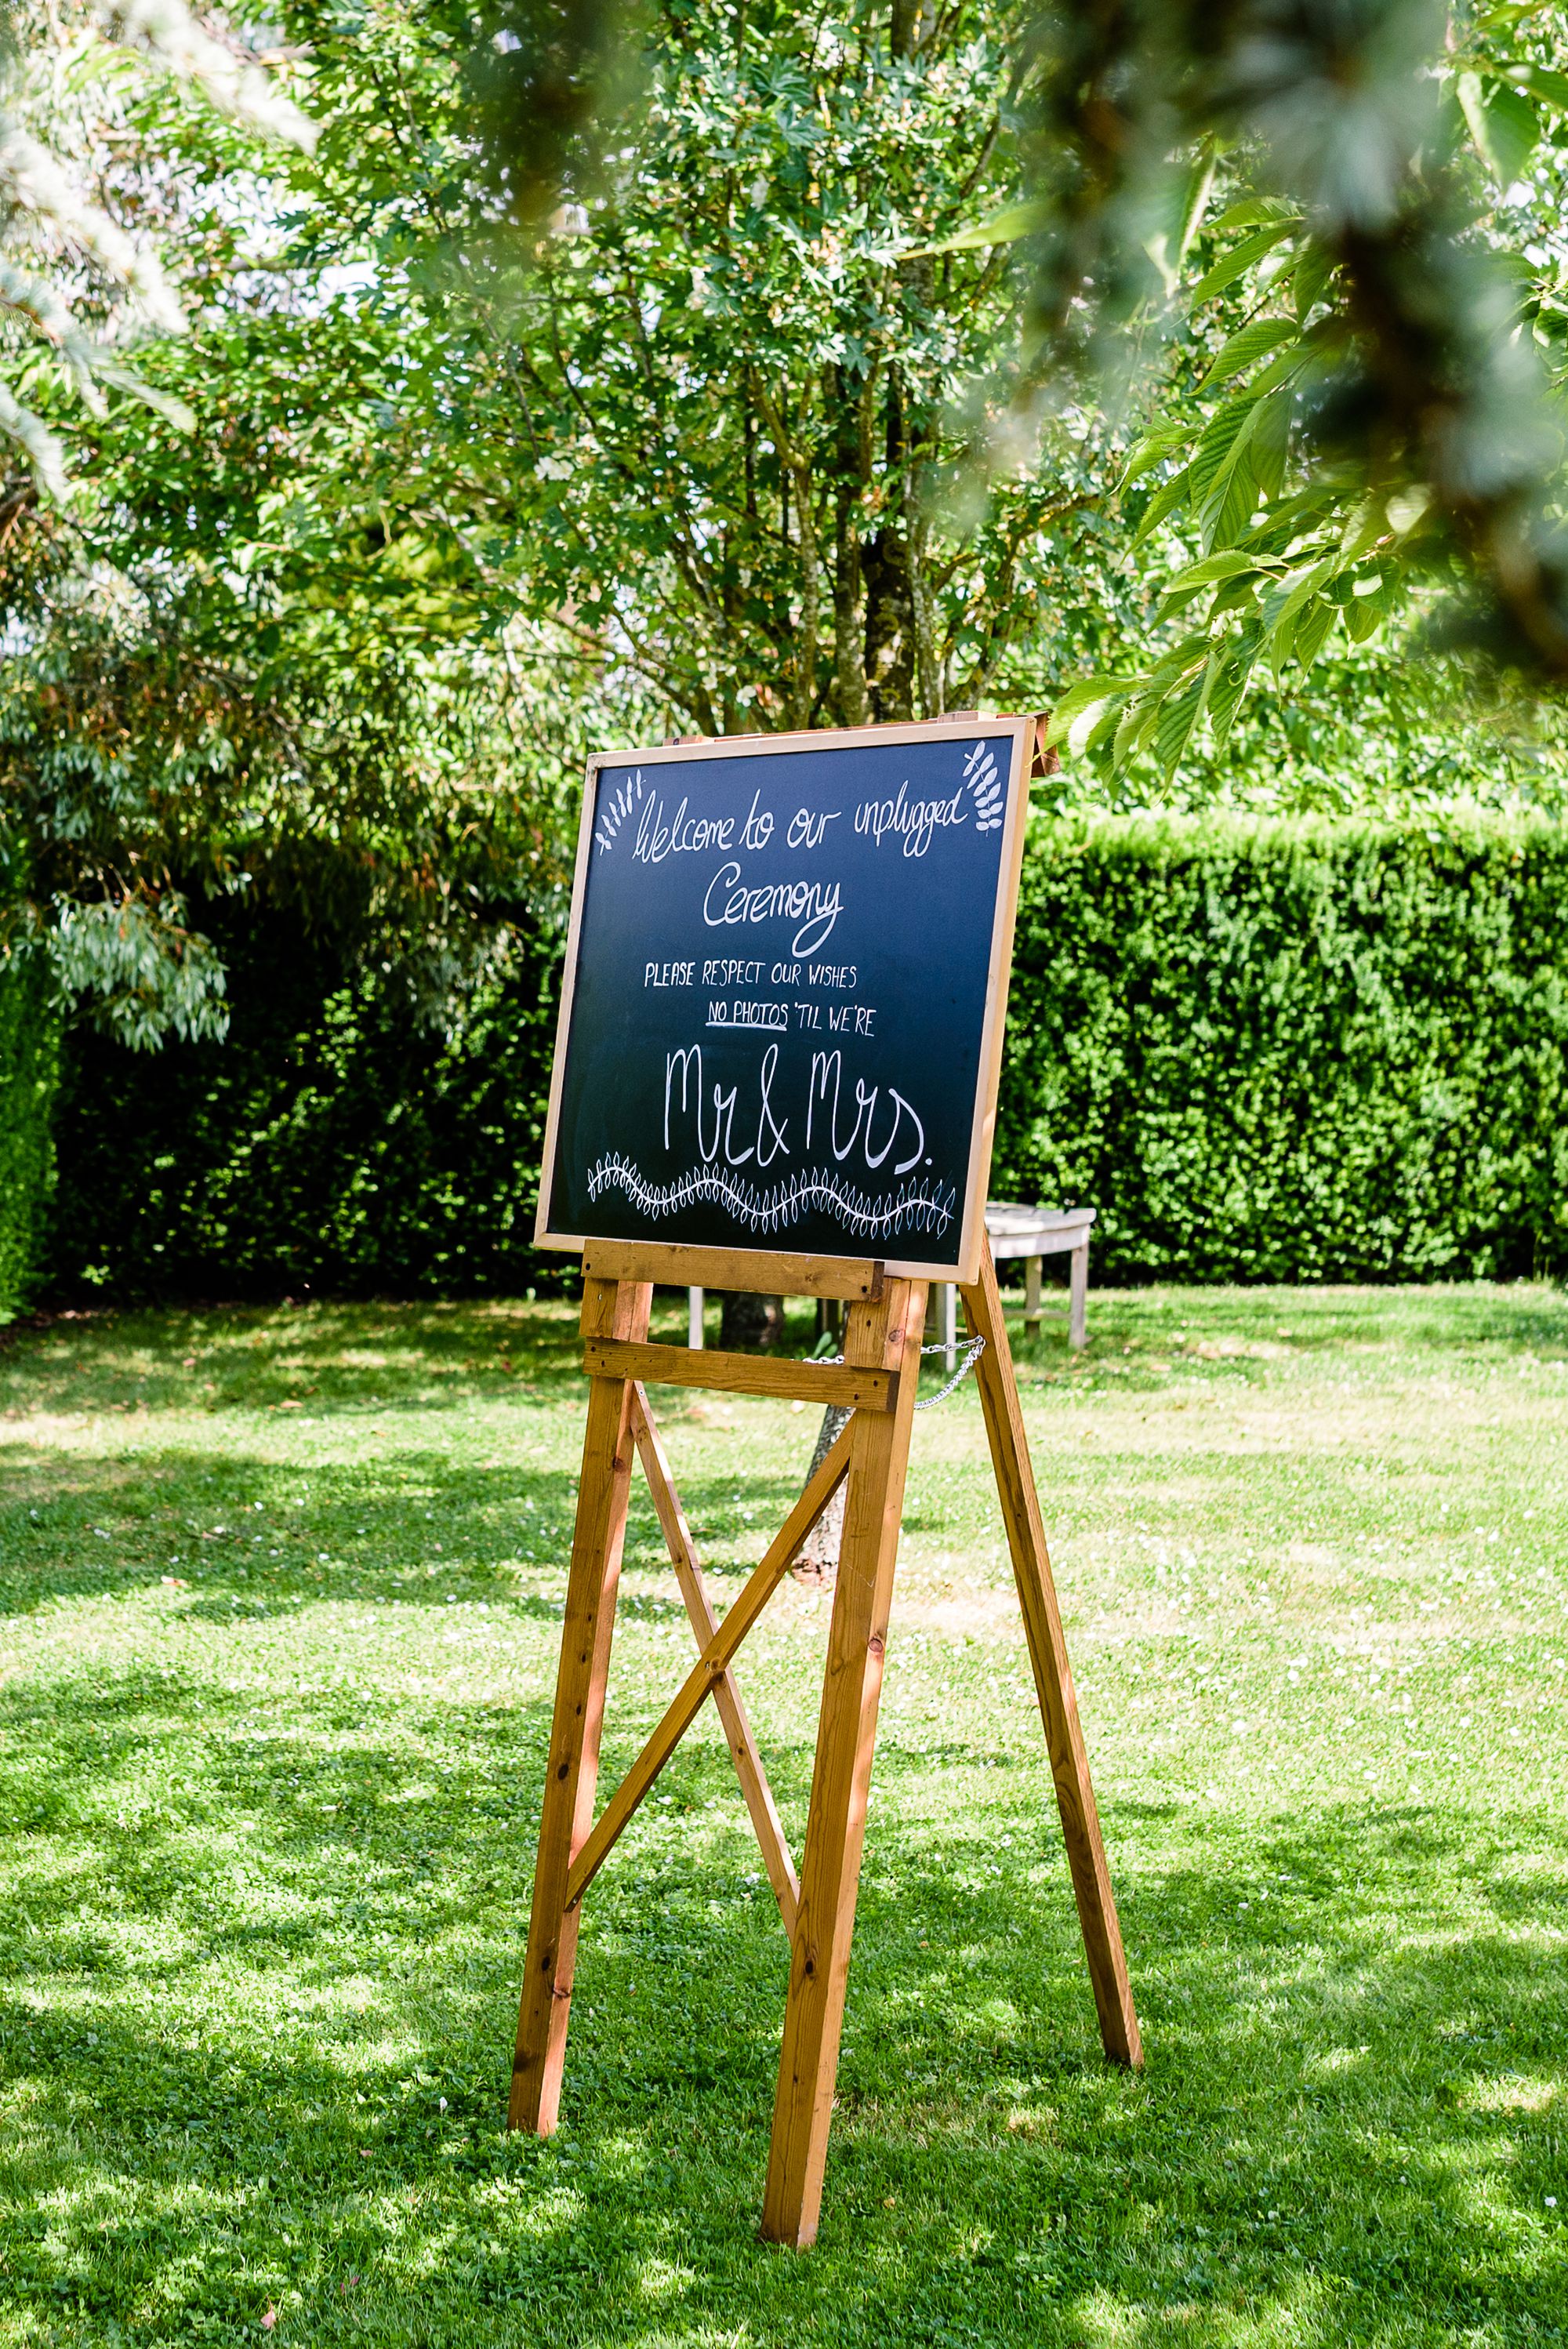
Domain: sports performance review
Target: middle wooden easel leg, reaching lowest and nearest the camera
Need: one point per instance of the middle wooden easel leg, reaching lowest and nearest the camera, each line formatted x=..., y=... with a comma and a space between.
x=842, y=1779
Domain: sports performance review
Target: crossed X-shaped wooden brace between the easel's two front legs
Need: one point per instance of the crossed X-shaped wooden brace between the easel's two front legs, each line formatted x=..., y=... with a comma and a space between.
x=712, y=1669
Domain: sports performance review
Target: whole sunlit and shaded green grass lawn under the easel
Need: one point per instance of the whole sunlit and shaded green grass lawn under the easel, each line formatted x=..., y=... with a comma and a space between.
x=281, y=1606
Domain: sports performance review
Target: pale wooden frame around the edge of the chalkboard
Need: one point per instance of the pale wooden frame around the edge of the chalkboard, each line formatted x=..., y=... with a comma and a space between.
x=957, y=729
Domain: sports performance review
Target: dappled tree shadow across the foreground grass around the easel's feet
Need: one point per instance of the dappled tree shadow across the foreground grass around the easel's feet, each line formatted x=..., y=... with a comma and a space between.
x=257, y=2050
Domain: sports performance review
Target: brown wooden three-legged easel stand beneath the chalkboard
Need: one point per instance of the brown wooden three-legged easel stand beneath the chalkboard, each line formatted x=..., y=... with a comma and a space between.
x=877, y=1380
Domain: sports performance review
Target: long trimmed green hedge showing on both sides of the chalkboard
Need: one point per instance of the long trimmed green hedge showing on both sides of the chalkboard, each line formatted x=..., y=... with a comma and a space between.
x=1264, y=1051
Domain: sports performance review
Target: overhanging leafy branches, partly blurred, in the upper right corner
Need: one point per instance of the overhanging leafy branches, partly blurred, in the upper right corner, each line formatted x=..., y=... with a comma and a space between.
x=1372, y=330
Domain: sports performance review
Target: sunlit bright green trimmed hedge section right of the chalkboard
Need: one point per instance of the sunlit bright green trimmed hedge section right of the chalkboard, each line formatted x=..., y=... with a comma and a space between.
x=1295, y=1051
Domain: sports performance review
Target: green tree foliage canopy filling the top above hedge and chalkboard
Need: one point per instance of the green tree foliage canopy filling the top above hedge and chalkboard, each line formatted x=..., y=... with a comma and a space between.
x=590, y=379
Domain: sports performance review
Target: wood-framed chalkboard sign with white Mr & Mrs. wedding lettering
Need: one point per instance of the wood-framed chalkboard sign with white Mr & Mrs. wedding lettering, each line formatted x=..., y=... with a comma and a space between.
x=785, y=992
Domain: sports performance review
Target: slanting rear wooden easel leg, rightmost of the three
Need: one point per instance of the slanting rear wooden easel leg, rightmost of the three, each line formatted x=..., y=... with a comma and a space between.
x=1048, y=1650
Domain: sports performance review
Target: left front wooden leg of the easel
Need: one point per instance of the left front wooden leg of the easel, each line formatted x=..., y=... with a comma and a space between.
x=609, y=1310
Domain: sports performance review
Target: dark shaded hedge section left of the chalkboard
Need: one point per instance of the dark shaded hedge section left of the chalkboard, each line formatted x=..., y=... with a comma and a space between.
x=337, y=1140
